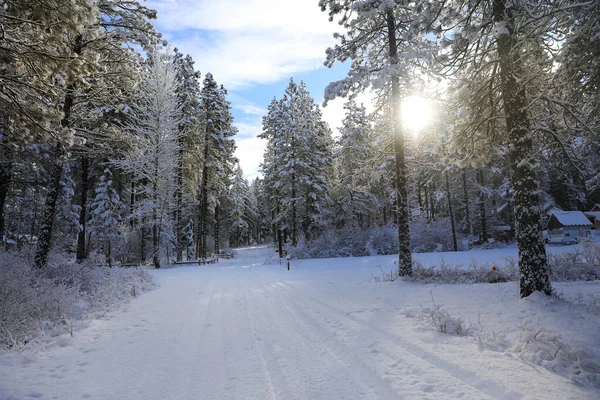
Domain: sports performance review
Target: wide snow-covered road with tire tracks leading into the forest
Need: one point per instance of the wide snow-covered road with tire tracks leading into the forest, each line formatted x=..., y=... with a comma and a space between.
x=243, y=330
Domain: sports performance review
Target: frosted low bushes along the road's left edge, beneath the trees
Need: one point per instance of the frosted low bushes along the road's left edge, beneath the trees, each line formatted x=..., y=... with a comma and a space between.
x=39, y=304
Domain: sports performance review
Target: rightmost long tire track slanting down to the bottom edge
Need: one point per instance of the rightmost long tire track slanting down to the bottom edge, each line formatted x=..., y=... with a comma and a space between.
x=469, y=378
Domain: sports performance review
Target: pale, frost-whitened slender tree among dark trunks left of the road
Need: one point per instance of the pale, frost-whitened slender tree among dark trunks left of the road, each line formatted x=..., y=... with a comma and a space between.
x=152, y=156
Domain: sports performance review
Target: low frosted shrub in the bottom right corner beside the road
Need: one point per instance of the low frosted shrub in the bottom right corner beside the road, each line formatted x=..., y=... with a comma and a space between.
x=543, y=347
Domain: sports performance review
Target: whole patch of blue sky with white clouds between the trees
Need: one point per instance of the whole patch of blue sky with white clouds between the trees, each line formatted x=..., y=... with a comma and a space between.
x=253, y=47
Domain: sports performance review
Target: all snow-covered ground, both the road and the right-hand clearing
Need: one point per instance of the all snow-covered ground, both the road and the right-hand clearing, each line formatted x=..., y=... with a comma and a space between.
x=241, y=329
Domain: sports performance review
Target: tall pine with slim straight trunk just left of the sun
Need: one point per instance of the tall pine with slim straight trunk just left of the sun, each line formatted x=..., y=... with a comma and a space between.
x=381, y=38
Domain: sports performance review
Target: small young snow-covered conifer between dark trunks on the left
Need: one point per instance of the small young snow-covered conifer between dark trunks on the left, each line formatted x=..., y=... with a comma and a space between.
x=106, y=210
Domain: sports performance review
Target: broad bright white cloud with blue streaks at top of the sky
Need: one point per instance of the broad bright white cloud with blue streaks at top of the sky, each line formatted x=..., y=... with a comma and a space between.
x=248, y=42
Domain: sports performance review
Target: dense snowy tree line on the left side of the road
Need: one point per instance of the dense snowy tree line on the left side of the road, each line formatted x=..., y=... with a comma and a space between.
x=109, y=137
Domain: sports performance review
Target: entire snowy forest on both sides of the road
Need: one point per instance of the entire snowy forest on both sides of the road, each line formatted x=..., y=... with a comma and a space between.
x=114, y=146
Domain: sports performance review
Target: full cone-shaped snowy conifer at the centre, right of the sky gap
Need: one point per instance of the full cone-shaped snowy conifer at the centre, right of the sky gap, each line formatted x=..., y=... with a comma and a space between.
x=297, y=165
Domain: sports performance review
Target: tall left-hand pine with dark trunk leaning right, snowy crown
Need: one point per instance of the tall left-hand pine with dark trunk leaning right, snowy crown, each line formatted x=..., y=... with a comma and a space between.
x=95, y=56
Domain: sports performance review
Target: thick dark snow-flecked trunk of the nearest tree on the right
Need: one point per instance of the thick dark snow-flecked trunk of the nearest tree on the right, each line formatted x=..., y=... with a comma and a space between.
x=528, y=223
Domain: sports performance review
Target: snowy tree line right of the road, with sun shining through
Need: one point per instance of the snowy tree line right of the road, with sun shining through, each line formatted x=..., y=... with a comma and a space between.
x=516, y=128
